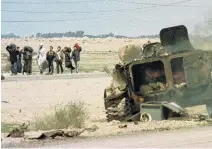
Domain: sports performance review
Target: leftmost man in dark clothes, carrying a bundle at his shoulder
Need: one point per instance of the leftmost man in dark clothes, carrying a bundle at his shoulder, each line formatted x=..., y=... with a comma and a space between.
x=13, y=57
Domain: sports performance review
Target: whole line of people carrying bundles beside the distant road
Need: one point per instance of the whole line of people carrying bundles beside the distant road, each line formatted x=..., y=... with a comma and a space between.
x=45, y=59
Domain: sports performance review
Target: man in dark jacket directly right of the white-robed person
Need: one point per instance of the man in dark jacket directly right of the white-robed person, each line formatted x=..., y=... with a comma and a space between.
x=50, y=56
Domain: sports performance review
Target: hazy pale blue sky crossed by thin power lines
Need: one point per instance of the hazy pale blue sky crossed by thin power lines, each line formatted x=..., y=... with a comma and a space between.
x=123, y=17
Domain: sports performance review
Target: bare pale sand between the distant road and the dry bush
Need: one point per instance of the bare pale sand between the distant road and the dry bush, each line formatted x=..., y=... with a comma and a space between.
x=36, y=97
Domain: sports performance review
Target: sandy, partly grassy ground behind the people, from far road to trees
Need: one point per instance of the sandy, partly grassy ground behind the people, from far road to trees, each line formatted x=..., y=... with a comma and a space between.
x=96, y=54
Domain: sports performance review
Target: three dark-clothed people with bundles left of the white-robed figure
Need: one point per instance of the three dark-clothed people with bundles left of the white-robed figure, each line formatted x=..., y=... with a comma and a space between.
x=16, y=55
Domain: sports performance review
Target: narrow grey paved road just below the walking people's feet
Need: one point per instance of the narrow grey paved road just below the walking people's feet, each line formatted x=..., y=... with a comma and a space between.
x=52, y=77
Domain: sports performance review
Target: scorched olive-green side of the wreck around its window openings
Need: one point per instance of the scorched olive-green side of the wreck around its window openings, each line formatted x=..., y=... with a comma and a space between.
x=199, y=93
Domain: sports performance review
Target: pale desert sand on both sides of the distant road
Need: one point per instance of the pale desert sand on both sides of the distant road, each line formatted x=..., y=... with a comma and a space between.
x=25, y=99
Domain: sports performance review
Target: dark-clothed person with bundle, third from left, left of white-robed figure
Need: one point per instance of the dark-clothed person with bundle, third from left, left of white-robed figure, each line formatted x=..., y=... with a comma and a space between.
x=27, y=57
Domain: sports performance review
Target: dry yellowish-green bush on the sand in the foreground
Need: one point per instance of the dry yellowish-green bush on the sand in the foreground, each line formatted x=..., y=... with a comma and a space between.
x=74, y=114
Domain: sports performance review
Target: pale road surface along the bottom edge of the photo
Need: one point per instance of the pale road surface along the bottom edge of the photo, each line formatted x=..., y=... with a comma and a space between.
x=195, y=137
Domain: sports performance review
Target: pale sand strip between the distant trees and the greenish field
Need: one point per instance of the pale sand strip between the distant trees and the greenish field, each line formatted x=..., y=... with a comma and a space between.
x=88, y=44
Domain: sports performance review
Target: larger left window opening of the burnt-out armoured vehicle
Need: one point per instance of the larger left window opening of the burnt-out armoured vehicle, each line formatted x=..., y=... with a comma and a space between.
x=149, y=77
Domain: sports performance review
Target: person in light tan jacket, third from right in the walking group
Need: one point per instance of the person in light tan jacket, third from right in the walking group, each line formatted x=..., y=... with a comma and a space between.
x=59, y=60
